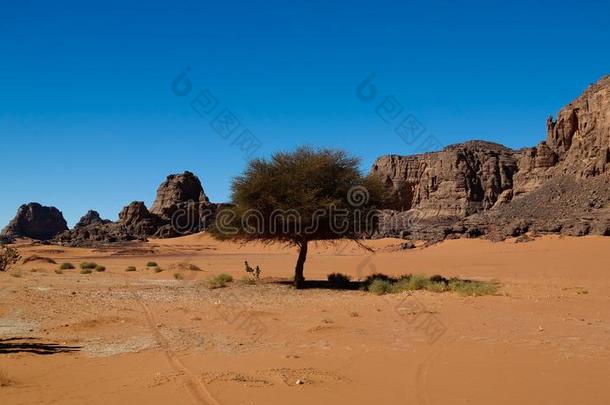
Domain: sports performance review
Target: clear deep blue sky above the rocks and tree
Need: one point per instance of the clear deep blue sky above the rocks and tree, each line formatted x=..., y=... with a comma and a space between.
x=88, y=118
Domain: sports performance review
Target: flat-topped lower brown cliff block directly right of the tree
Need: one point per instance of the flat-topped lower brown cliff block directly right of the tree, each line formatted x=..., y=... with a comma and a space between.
x=455, y=182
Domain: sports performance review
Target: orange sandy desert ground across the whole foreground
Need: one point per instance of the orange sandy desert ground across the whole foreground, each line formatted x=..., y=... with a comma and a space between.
x=146, y=337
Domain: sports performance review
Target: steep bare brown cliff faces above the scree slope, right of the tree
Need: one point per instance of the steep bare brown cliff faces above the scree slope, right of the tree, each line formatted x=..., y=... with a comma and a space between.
x=473, y=177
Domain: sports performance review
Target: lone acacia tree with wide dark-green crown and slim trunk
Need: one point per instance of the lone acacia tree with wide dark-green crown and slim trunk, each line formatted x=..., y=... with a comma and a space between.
x=299, y=197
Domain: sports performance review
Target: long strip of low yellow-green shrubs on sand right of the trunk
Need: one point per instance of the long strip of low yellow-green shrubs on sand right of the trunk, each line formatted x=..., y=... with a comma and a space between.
x=382, y=284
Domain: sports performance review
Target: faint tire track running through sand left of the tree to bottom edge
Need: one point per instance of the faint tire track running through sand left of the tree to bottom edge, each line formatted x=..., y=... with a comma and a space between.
x=194, y=385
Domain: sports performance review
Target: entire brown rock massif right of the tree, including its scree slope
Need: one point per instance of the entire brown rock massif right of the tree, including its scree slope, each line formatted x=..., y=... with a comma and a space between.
x=481, y=180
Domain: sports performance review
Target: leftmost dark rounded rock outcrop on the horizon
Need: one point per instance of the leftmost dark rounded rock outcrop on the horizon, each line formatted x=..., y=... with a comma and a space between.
x=37, y=222
